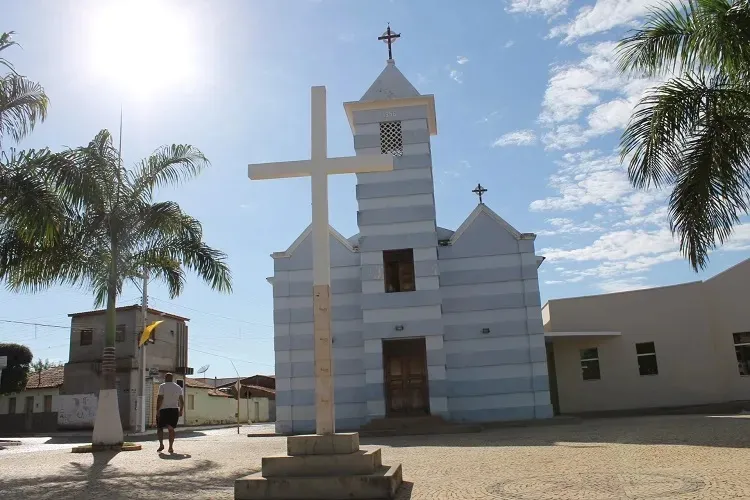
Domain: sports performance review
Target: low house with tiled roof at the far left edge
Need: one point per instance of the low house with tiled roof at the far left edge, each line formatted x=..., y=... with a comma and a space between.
x=35, y=408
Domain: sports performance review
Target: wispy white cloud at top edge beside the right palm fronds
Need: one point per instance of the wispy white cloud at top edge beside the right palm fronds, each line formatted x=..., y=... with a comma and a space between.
x=602, y=16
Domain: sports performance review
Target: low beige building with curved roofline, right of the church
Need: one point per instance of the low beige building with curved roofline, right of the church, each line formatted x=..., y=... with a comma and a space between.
x=671, y=346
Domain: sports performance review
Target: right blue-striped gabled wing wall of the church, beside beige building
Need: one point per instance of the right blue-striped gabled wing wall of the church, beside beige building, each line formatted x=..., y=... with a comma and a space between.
x=488, y=278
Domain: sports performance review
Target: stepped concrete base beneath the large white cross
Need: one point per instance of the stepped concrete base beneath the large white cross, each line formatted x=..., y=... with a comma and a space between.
x=321, y=466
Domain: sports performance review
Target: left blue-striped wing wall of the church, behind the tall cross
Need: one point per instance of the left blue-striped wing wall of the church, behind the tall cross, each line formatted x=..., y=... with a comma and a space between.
x=293, y=337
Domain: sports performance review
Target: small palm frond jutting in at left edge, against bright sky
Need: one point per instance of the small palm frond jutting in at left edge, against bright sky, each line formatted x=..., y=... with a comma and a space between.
x=23, y=103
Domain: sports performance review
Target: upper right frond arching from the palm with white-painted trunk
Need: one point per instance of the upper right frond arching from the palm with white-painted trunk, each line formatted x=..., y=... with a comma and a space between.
x=168, y=165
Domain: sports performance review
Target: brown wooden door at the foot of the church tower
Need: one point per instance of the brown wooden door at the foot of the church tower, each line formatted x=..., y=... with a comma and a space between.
x=405, y=373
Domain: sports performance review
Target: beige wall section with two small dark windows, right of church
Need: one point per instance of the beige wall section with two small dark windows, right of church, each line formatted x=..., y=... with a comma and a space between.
x=675, y=318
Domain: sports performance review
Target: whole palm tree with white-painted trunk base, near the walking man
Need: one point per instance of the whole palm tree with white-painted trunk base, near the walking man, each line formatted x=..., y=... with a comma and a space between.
x=113, y=232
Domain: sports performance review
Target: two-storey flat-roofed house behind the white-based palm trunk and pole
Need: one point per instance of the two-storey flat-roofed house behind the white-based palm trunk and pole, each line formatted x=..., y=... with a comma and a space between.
x=167, y=353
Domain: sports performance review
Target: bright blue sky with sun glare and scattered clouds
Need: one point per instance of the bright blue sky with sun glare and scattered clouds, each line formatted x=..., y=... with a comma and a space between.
x=529, y=103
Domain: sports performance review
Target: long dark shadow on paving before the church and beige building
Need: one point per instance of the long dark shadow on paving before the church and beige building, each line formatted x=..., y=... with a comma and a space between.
x=726, y=431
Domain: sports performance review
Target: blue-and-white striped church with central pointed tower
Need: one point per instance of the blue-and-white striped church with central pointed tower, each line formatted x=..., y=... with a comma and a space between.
x=425, y=320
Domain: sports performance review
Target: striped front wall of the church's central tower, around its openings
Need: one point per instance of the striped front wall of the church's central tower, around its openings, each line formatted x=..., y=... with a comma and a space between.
x=397, y=211
